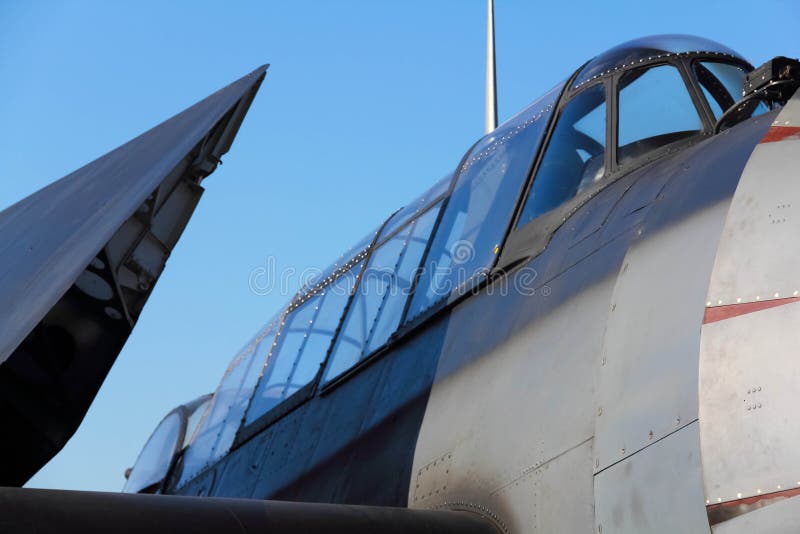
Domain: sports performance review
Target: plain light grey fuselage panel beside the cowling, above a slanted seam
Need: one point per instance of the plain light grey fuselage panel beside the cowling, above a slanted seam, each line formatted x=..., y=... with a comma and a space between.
x=647, y=373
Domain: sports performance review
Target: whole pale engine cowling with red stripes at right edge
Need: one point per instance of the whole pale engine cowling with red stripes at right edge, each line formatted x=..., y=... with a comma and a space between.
x=749, y=370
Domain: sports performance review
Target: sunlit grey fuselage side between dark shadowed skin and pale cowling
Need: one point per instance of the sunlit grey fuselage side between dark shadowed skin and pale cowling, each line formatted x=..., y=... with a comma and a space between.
x=595, y=377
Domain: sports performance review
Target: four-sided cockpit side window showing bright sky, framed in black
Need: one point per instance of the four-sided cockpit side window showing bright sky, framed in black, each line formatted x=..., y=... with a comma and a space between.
x=655, y=110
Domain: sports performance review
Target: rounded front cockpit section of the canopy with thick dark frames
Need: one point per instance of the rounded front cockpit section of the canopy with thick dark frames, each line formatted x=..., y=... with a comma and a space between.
x=630, y=105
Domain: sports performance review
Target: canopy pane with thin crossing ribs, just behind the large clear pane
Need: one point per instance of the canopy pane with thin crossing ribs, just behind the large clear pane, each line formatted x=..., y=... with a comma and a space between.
x=378, y=303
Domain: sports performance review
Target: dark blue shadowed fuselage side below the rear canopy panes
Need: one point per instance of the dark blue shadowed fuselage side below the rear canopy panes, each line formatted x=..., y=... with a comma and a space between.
x=352, y=445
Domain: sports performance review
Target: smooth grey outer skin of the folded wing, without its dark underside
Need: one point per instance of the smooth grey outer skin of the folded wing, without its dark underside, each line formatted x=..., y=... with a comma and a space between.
x=48, y=238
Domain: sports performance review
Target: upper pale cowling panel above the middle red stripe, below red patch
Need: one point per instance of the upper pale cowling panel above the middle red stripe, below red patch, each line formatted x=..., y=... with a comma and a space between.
x=756, y=258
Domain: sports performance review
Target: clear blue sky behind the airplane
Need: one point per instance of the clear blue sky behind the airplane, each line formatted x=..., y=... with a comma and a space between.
x=365, y=105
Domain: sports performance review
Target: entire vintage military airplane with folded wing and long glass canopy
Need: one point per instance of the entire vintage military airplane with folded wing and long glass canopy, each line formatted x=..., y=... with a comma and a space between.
x=587, y=326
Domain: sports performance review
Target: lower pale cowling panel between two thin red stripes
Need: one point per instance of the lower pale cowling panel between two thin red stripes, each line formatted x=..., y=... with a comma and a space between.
x=749, y=376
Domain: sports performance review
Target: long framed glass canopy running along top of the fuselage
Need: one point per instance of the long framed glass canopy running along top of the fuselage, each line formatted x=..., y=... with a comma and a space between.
x=638, y=102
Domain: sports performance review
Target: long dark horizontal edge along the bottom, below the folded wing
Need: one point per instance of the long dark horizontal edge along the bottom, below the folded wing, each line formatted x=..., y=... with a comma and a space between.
x=57, y=511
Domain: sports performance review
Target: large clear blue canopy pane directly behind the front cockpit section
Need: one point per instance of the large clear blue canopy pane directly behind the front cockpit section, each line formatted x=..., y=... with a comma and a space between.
x=479, y=208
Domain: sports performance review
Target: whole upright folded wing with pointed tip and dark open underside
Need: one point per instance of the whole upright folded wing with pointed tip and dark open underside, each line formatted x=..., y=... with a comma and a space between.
x=80, y=259
